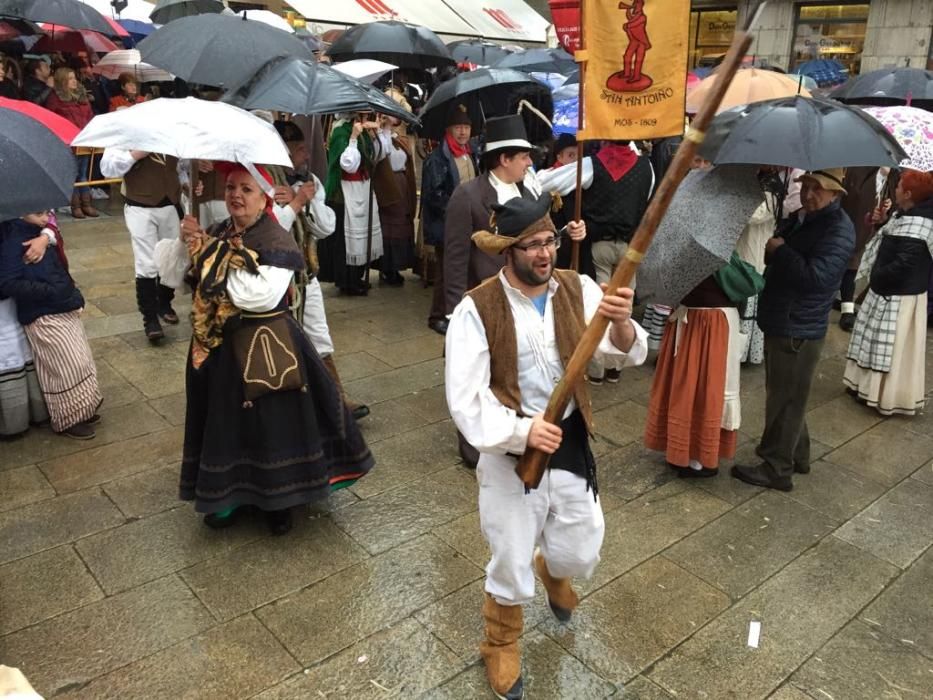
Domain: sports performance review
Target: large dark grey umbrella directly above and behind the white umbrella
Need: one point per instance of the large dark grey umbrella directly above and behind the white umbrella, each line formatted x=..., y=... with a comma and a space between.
x=218, y=49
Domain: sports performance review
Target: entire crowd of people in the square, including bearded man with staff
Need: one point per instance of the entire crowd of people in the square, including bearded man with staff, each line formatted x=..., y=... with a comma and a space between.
x=267, y=423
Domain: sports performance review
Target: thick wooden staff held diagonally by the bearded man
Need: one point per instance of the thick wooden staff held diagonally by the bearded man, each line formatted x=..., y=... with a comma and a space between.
x=531, y=465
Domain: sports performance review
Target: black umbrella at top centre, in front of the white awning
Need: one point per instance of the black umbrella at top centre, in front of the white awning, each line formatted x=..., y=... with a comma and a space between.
x=404, y=45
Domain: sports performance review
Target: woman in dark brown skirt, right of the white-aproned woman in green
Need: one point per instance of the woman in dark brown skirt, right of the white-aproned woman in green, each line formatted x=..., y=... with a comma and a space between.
x=397, y=195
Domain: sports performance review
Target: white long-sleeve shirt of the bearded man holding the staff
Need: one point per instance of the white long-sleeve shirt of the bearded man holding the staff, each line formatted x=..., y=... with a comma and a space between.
x=484, y=421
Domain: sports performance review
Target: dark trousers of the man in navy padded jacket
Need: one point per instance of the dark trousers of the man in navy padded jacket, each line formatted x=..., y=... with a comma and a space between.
x=790, y=364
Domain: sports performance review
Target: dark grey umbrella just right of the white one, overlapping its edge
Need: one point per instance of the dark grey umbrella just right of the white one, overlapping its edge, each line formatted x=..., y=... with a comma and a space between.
x=304, y=86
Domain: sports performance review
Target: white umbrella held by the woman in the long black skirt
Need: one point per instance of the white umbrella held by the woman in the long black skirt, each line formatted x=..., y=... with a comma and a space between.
x=188, y=128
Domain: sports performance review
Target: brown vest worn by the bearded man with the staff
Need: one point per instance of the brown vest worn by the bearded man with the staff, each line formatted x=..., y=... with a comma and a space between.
x=569, y=323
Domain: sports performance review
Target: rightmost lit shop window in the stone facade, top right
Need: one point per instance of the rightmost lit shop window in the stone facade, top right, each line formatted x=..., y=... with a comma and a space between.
x=831, y=32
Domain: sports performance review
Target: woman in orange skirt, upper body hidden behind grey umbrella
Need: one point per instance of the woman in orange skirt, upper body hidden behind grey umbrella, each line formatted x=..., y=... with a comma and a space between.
x=694, y=412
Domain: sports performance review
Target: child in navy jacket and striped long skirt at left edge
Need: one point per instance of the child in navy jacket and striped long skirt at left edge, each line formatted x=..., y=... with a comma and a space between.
x=49, y=305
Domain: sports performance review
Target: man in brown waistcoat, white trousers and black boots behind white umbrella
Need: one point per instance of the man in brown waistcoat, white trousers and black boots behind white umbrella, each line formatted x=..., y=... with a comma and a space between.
x=152, y=191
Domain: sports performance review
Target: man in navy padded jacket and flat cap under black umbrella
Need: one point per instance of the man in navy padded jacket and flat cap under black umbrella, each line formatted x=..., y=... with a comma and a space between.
x=805, y=265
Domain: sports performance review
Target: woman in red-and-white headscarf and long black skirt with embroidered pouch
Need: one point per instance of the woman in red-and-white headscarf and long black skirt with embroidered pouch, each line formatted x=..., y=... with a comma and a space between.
x=265, y=425
